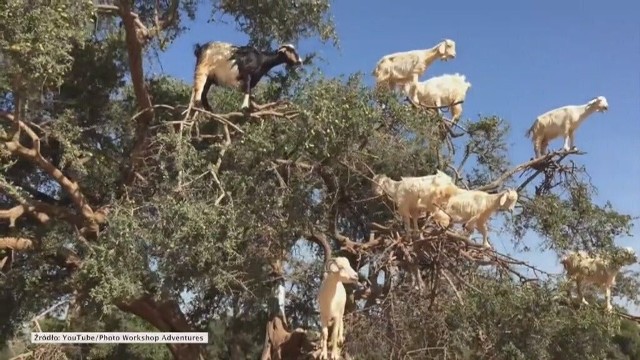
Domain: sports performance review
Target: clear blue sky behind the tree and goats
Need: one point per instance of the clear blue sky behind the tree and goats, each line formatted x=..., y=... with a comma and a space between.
x=522, y=59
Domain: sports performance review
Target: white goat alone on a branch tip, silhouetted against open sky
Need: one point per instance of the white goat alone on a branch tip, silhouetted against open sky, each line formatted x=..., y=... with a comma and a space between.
x=563, y=121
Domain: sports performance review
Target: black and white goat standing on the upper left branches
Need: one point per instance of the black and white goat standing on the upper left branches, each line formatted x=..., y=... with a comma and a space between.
x=239, y=67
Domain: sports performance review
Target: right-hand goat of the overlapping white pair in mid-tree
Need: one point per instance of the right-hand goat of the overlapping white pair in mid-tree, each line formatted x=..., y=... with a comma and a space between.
x=473, y=208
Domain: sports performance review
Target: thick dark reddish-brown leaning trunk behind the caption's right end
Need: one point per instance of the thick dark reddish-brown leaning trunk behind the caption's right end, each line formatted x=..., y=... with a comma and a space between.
x=166, y=317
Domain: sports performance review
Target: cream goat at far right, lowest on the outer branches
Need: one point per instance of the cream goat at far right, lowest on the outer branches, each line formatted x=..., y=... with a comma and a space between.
x=600, y=270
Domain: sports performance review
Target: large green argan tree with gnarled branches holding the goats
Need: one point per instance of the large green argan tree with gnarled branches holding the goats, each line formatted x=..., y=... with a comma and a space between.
x=139, y=218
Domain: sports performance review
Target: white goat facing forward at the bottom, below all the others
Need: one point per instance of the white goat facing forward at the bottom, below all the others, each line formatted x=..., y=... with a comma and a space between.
x=332, y=299
